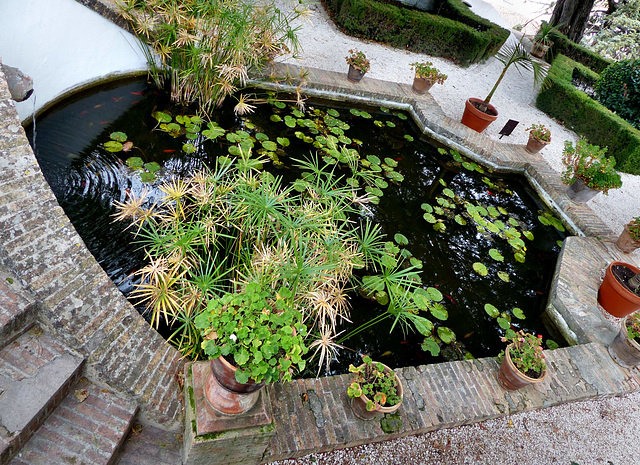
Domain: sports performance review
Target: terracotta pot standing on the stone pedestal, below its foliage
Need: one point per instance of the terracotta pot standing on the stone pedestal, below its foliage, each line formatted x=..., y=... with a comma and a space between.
x=225, y=394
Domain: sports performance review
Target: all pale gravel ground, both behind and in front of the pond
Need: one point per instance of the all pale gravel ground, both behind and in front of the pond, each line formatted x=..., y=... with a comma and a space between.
x=594, y=432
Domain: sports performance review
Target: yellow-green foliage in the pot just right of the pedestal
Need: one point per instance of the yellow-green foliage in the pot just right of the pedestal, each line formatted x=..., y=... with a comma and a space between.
x=378, y=385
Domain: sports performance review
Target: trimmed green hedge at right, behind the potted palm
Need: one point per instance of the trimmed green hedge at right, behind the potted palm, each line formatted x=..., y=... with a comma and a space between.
x=561, y=100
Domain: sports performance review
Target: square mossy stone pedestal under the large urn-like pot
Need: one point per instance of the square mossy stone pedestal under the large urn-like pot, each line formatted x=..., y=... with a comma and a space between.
x=211, y=437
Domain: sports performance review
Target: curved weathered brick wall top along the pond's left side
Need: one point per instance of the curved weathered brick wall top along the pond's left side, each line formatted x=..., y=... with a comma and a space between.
x=77, y=300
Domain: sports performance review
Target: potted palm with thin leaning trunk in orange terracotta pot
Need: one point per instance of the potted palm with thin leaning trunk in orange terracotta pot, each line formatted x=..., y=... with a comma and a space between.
x=478, y=114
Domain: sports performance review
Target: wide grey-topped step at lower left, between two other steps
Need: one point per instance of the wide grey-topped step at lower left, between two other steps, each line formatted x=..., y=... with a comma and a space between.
x=36, y=373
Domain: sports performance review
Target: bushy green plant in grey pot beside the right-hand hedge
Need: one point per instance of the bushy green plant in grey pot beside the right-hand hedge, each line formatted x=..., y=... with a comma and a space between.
x=588, y=171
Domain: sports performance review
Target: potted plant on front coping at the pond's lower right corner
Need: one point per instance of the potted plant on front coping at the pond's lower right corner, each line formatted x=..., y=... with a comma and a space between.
x=523, y=361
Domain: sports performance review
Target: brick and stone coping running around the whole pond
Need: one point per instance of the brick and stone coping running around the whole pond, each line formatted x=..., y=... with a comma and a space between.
x=79, y=304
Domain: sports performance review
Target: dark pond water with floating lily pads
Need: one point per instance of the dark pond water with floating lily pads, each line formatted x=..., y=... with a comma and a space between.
x=485, y=271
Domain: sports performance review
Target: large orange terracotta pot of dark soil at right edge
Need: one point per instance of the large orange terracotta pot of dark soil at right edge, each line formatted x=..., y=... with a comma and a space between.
x=619, y=293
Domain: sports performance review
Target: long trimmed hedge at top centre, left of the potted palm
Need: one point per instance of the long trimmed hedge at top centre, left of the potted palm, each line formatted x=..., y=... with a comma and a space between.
x=465, y=39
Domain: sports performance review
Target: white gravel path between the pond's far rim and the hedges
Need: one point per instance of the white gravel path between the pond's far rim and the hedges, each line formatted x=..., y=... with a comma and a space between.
x=325, y=47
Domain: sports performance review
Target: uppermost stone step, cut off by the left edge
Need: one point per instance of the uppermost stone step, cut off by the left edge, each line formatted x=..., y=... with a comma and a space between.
x=17, y=308
